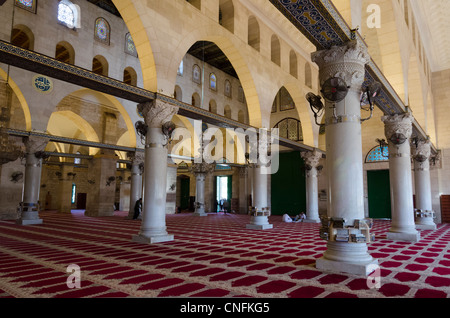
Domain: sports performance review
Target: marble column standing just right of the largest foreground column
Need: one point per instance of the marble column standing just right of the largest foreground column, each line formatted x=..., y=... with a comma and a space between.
x=398, y=130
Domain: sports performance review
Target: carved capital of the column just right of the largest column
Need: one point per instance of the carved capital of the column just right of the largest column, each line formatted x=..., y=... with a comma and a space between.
x=398, y=127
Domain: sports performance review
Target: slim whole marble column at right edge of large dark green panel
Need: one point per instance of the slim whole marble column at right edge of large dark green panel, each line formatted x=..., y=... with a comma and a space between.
x=312, y=160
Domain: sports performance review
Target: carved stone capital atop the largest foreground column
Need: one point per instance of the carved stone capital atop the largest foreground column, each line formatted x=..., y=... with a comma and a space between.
x=346, y=61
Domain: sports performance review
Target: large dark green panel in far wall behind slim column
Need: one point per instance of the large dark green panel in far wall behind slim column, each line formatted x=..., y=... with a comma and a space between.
x=288, y=188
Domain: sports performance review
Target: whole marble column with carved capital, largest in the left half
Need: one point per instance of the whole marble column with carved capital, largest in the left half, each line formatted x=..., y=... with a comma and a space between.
x=153, y=226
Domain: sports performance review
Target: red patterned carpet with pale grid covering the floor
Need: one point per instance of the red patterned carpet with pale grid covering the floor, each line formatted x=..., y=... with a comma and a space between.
x=213, y=256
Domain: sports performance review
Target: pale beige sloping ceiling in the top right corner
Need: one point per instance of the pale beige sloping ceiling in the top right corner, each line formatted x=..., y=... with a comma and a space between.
x=434, y=24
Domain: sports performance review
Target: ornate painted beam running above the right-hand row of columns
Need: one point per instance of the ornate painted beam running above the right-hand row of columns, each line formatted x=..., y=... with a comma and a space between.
x=321, y=23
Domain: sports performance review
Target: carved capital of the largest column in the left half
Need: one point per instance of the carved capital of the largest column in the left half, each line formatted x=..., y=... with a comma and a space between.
x=156, y=112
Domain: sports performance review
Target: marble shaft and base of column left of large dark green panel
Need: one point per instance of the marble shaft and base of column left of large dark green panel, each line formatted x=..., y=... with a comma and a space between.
x=260, y=215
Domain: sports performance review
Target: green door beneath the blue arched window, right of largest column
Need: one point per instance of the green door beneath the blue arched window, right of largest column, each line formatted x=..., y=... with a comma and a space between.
x=379, y=194
